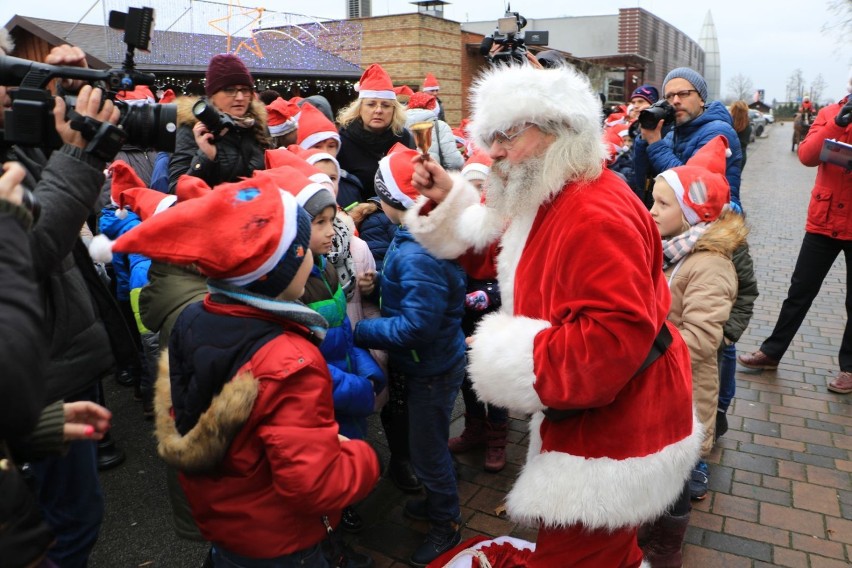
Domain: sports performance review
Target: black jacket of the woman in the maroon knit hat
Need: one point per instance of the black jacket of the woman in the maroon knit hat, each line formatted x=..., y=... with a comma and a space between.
x=238, y=153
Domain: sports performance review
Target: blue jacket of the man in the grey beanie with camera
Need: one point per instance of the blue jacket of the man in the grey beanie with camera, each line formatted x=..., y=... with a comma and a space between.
x=684, y=140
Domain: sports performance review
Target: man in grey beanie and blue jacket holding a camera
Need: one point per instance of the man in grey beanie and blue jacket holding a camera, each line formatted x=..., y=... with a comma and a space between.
x=697, y=121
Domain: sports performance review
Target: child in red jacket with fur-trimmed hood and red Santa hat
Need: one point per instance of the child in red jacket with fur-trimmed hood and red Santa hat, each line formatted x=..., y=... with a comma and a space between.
x=244, y=397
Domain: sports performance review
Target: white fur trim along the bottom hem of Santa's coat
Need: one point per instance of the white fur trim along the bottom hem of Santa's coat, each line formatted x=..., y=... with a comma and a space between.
x=559, y=489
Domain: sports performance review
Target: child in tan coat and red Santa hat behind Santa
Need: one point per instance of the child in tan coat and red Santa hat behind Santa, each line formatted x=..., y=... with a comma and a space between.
x=700, y=234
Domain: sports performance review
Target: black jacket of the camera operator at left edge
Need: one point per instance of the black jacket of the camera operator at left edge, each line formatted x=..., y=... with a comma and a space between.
x=82, y=320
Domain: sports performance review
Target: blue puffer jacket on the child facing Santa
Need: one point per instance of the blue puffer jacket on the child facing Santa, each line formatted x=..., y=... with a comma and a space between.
x=422, y=303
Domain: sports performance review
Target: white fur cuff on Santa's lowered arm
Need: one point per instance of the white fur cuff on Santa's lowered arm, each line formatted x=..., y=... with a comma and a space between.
x=501, y=362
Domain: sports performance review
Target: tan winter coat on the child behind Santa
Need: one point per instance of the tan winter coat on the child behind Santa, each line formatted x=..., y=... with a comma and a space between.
x=704, y=287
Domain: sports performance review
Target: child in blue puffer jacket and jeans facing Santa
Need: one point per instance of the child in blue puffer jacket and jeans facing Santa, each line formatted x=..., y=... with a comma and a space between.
x=422, y=307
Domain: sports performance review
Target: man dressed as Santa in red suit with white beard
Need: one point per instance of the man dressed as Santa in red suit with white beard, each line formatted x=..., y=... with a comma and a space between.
x=563, y=234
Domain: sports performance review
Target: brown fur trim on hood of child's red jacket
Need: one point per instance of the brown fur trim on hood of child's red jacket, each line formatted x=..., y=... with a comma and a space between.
x=205, y=445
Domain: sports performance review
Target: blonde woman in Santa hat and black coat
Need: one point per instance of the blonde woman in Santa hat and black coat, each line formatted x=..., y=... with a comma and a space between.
x=369, y=126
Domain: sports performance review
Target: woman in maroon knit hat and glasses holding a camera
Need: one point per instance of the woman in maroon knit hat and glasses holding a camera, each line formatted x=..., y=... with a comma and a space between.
x=232, y=149
